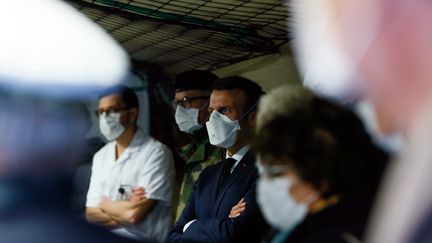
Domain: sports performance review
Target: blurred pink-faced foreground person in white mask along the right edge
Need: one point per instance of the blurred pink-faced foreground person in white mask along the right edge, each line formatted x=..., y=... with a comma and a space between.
x=385, y=59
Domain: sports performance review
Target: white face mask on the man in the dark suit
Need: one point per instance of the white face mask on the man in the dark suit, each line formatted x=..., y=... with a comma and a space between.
x=222, y=130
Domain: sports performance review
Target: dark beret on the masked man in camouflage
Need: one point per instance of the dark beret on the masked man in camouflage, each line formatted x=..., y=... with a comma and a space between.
x=195, y=79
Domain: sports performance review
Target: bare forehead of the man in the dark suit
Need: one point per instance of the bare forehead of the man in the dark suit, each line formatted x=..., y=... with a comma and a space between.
x=231, y=98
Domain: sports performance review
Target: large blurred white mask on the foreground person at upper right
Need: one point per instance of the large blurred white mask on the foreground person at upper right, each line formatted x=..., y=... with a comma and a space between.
x=327, y=67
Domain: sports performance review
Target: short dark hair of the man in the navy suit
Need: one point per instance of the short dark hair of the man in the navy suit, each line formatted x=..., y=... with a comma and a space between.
x=252, y=90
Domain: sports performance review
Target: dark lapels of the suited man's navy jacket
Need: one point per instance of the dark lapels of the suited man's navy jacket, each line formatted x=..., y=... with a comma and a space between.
x=242, y=167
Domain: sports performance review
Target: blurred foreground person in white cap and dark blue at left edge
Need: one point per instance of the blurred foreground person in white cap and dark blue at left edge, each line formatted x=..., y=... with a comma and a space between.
x=51, y=57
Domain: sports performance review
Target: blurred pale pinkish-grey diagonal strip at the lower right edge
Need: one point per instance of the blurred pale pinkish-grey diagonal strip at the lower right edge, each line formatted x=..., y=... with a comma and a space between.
x=405, y=196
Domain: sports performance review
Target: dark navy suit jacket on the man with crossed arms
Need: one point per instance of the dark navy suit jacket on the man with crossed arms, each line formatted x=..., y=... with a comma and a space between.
x=211, y=207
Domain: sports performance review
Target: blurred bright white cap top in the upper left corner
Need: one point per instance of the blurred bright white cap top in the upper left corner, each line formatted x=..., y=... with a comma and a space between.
x=48, y=45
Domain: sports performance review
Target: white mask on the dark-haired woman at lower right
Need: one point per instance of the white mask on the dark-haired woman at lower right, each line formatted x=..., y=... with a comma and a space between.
x=279, y=208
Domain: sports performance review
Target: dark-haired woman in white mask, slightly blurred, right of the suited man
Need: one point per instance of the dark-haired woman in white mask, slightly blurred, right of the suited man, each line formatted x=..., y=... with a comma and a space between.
x=319, y=170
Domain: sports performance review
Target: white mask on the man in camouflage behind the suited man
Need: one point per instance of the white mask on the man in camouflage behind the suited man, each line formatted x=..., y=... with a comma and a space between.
x=187, y=119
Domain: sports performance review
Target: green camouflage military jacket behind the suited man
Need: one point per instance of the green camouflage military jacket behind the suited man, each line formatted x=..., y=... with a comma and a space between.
x=198, y=156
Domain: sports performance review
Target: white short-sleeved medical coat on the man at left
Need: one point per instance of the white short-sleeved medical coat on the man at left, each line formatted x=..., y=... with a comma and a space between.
x=145, y=163
